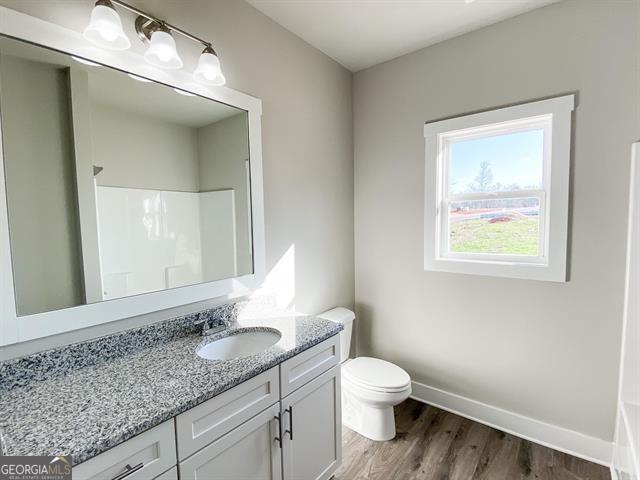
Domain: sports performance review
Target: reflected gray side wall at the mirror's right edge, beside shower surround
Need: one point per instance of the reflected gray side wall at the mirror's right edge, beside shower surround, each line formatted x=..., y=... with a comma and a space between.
x=223, y=148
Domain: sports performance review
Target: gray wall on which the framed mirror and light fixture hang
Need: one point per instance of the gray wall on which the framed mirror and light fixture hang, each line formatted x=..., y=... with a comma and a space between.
x=306, y=131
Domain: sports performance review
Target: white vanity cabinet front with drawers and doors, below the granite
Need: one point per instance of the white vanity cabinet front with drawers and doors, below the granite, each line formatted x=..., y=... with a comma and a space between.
x=284, y=424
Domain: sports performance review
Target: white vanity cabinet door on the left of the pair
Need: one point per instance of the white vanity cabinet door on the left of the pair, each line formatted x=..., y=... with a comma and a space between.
x=251, y=451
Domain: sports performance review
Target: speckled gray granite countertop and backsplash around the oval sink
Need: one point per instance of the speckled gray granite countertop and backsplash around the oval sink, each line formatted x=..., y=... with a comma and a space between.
x=86, y=398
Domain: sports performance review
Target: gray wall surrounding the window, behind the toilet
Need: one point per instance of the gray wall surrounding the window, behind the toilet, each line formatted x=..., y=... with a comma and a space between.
x=545, y=350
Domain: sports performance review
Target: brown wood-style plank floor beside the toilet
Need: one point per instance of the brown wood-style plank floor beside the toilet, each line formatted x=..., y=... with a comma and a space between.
x=434, y=444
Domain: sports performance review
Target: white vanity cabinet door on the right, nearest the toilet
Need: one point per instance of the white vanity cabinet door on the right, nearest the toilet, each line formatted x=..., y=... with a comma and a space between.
x=312, y=444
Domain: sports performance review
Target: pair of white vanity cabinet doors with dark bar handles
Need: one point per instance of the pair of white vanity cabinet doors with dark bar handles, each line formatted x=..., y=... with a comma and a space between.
x=297, y=438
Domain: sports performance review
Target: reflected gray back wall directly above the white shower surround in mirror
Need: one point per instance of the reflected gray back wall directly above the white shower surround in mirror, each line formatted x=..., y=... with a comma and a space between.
x=142, y=152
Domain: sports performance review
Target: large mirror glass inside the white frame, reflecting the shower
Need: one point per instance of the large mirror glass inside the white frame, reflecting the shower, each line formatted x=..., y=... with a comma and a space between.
x=117, y=186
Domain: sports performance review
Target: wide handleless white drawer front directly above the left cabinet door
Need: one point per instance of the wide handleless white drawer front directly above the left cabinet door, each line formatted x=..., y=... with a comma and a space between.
x=210, y=420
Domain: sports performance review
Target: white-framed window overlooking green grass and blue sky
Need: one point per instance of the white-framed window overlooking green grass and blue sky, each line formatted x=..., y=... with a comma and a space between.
x=497, y=188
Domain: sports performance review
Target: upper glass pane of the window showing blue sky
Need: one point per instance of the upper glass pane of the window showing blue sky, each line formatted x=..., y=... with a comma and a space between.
x=503, y=162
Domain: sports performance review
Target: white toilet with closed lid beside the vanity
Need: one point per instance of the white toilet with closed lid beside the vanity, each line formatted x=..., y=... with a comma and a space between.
x=370, y=387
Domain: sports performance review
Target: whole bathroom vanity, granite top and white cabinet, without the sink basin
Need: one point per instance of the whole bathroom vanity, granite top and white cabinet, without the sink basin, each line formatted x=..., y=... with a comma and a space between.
x=156, y=409
